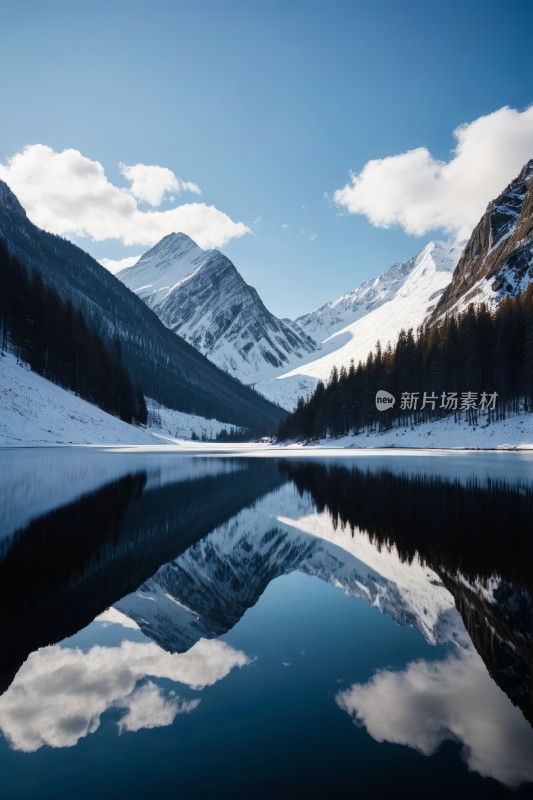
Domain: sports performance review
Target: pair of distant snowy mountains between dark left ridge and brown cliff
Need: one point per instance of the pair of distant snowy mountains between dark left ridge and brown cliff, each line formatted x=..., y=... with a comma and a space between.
x=200, y=295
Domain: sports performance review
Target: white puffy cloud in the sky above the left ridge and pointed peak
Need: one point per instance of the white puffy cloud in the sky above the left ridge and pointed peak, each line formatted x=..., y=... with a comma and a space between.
x=69, y=194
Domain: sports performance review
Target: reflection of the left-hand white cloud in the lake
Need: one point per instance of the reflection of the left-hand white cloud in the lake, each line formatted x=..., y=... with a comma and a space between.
x=60, y=693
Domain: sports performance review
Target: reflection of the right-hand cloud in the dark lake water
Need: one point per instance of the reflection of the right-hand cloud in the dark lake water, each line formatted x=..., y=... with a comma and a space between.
x=455, y=699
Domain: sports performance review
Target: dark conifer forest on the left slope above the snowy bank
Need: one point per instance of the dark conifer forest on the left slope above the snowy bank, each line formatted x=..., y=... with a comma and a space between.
x=54, y=339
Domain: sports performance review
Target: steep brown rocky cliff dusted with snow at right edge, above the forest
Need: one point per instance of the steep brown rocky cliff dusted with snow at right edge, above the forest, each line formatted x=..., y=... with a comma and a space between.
x=498, y=258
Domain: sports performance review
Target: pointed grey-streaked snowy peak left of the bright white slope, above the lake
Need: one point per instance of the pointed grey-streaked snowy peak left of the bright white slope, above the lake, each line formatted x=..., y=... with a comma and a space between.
x=200, y=295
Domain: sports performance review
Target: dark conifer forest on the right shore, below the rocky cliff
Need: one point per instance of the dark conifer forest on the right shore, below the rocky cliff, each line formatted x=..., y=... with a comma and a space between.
x=477, y=366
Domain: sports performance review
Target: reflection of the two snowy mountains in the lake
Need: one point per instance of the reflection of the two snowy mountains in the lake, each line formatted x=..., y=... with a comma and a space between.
x=205, y=591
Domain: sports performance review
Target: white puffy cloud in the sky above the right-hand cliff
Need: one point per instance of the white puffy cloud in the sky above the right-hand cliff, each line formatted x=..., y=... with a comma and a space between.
x=421, y=193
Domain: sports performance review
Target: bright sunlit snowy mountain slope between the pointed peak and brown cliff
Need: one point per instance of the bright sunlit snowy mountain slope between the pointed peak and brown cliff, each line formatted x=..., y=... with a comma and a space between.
x=350, y=326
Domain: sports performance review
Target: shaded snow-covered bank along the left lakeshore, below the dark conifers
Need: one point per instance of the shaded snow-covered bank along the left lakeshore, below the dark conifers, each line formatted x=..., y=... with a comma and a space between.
x=36, y=411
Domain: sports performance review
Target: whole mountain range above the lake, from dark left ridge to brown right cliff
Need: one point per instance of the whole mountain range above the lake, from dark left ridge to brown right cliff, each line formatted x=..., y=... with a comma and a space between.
x=200, y=296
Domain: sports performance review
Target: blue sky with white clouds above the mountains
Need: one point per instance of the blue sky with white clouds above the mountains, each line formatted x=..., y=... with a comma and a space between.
x=314, y=143
